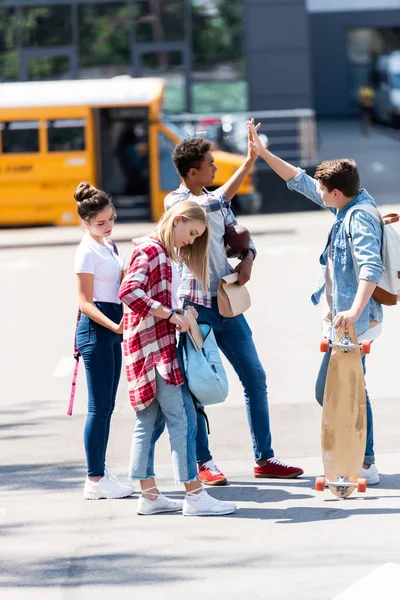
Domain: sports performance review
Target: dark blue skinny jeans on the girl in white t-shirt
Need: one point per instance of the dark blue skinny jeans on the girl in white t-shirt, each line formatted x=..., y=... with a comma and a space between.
x=102, y=355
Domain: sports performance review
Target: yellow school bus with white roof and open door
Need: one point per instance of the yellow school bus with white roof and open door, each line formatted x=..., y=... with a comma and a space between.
x=54, y=134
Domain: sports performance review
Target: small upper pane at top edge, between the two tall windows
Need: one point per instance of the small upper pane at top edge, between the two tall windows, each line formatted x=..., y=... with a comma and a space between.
x=159, y=20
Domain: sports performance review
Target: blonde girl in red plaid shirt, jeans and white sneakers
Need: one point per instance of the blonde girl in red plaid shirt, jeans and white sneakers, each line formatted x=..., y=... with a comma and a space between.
x=154, y=364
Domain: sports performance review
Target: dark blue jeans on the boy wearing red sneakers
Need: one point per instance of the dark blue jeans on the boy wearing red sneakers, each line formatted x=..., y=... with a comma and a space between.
x=234, y=338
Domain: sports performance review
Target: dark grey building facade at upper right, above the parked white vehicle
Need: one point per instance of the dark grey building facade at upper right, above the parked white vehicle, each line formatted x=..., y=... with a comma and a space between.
x=347, y=37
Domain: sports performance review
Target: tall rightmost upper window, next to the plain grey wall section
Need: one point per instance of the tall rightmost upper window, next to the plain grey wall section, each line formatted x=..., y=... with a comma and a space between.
x=217, y=41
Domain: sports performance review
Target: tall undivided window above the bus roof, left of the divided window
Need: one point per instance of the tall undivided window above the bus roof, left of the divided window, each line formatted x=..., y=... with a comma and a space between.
x=104, y=40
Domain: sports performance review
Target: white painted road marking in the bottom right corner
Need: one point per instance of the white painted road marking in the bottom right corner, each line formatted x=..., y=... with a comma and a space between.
x=381, y=583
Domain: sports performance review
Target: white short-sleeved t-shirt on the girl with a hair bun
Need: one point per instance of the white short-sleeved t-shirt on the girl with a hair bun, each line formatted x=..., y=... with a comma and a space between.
x=102, y=262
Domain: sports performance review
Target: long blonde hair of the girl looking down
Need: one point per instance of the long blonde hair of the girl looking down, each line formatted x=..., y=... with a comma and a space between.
x=194, y=256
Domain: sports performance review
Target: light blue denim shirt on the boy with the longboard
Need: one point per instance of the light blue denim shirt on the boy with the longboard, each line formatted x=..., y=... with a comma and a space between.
x=366, y=235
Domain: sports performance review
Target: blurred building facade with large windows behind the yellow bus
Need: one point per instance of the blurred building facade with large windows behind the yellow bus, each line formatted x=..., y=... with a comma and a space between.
x=216, y=55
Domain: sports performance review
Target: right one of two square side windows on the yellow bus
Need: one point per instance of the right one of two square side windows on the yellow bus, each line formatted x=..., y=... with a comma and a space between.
x=66, y=135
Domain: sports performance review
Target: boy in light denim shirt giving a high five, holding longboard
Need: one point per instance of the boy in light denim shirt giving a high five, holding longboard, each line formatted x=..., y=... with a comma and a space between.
x=346, y=298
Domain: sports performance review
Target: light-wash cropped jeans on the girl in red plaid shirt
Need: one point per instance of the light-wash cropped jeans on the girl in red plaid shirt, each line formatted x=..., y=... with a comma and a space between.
x=174, y=407
